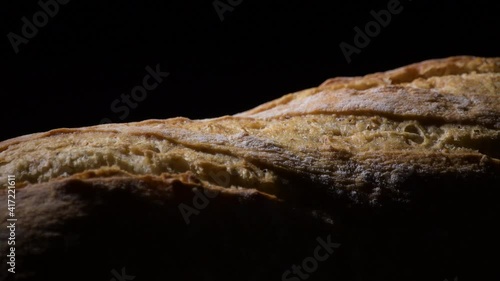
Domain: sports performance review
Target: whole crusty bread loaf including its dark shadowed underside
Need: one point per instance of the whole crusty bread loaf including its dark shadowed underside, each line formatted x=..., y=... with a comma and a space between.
x=405, y=153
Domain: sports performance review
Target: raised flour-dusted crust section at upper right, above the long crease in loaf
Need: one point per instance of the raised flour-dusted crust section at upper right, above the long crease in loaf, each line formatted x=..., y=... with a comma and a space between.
x=458, y=90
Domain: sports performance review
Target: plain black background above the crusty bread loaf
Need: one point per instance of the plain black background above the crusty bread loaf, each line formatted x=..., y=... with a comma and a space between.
x=91, y=52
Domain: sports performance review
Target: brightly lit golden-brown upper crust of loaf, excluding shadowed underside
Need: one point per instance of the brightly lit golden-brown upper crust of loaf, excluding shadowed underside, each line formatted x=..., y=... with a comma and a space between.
x=446, y=108
